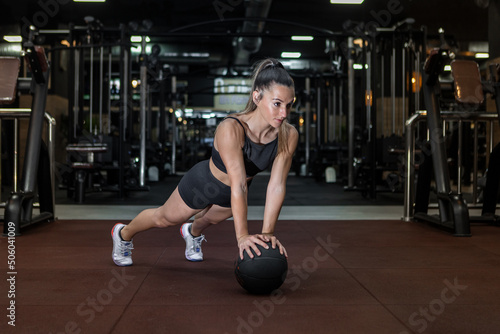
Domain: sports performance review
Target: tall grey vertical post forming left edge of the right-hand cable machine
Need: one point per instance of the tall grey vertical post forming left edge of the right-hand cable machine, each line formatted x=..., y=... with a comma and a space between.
x=351, y=110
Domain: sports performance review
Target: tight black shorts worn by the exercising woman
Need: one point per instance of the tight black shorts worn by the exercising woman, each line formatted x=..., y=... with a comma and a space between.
x=199, y=188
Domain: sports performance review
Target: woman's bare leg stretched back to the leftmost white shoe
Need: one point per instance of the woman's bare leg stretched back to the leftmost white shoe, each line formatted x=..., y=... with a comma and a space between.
x=173, y=212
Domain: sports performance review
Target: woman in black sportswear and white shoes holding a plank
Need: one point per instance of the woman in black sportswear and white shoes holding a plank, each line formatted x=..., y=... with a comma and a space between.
x=214, y=190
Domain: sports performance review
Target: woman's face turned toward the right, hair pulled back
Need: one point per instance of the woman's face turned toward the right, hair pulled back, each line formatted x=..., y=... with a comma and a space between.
x=275, y=103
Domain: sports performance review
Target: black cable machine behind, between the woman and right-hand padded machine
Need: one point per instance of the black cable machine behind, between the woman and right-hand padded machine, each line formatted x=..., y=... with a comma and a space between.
x=387, y=82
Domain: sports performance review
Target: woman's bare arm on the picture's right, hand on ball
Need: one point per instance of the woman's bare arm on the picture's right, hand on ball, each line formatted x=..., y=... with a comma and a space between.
x=276, y=189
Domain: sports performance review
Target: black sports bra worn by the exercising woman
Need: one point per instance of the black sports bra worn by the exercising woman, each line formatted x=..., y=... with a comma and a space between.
x=257, y=157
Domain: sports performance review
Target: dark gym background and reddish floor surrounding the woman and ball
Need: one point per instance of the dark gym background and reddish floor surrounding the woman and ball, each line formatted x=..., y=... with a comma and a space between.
x=390, y=215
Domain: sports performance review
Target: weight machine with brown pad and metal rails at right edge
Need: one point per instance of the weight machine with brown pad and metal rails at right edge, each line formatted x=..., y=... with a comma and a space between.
x=469, y=95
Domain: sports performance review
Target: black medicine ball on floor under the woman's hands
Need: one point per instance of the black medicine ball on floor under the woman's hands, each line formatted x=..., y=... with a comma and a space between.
x=264, y=273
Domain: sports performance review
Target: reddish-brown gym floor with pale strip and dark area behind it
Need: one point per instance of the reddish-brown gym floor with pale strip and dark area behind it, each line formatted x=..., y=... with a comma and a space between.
x=355, y=267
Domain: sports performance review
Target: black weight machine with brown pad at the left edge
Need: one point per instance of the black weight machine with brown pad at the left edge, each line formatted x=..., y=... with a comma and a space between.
x=37, y=169
